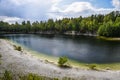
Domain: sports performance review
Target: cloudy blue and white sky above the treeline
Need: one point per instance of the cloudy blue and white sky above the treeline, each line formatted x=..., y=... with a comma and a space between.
x=37, y=10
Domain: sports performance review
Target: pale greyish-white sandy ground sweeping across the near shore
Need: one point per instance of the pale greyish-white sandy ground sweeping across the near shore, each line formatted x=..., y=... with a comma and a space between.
x=23, y=62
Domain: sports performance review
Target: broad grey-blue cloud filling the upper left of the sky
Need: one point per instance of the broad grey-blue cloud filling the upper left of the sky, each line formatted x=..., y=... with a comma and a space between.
x=32, y=9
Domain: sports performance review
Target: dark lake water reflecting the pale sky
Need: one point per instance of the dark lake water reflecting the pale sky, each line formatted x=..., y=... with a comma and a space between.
x=79, y=48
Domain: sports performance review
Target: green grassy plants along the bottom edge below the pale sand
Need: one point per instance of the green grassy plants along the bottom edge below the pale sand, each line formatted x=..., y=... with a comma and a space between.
x=8, y=75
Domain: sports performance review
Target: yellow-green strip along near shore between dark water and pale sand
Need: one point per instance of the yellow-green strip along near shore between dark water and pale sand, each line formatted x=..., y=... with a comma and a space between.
x=72, y=63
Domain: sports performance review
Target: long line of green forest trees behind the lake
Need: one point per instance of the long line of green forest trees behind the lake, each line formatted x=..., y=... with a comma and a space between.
x=104, y=25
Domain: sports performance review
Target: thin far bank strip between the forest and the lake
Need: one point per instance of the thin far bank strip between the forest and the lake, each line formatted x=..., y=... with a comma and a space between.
x=70, y=34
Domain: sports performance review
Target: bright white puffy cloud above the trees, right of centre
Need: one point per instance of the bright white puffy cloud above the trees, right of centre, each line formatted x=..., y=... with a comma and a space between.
x=76, y=9
